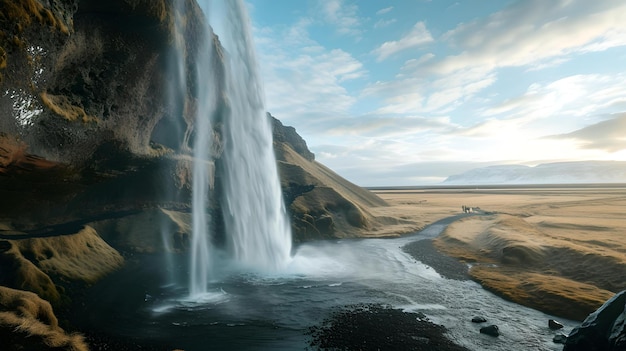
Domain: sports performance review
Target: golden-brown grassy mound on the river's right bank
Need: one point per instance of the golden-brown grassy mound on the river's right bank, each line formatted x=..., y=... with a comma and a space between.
x=534, y=262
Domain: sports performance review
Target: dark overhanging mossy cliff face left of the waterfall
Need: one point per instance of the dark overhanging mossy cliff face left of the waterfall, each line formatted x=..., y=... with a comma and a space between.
x=86, y=121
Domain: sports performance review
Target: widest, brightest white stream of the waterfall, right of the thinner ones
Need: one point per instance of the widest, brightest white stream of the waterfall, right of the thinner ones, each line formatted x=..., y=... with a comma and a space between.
x=258, y=229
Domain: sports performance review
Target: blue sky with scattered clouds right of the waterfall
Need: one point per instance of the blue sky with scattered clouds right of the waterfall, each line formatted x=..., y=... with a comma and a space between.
x=408, y=92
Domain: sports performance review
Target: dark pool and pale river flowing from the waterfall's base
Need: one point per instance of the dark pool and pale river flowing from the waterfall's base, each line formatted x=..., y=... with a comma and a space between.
x=254, y=311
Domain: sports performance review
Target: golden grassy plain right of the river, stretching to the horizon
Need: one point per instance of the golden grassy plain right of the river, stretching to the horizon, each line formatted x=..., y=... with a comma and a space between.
x=559, y=250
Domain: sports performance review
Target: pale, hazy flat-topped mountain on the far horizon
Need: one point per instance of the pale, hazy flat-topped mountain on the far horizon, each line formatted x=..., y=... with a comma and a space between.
x=547, y=173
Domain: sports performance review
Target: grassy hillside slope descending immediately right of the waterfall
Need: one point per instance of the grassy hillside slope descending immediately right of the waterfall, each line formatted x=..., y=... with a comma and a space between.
x=325, y=205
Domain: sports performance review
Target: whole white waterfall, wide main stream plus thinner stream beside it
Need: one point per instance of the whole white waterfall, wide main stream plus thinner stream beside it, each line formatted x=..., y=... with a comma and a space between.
x=257, y=229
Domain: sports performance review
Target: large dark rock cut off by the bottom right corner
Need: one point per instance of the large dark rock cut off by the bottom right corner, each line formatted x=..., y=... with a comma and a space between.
x=602, y=330
